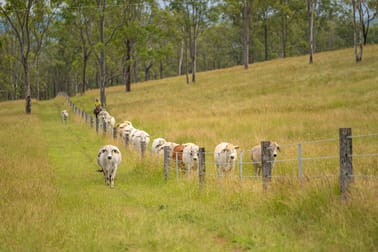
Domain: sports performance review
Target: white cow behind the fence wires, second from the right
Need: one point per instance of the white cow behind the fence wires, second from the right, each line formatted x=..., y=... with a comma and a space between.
x=225, y=156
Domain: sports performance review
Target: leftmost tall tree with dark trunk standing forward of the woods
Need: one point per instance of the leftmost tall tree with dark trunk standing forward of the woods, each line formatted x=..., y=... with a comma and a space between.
x=29, y=20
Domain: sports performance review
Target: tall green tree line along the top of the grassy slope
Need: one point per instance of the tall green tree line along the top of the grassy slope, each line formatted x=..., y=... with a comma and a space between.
x=76, y=45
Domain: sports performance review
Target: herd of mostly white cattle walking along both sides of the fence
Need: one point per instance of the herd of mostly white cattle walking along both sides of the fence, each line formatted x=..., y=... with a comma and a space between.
x=185, y=155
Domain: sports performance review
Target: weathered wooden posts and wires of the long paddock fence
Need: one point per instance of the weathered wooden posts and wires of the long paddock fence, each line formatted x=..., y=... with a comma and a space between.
x=346, y=177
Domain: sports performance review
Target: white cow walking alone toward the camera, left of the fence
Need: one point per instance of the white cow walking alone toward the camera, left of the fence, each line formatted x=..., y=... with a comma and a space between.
x=109, y=158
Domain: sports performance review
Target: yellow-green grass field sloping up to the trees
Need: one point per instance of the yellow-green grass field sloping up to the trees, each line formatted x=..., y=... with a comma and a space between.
x=52, y=198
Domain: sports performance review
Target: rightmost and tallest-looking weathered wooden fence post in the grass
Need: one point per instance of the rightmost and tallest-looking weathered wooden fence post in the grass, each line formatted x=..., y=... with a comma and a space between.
x=346, y=165
